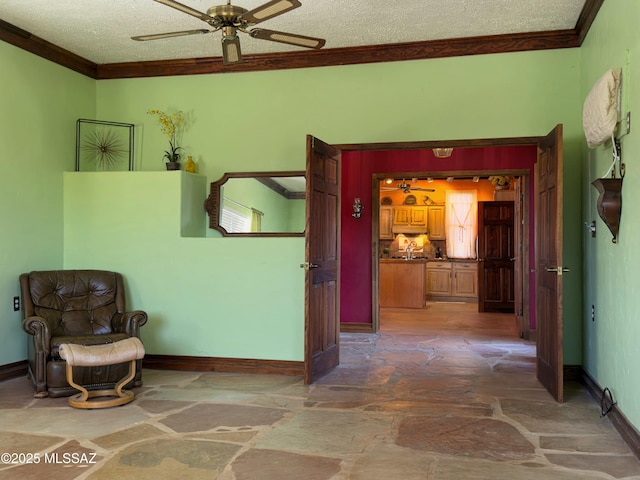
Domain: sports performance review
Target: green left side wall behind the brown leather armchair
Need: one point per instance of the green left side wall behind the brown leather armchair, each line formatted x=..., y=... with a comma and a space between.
x=39, y=105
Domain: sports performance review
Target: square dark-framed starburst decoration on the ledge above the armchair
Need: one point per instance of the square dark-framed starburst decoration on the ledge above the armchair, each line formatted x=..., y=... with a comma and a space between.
x=103, y=146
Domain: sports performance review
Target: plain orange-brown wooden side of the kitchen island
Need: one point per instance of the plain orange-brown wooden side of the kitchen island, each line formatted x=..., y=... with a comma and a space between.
x=402, y=283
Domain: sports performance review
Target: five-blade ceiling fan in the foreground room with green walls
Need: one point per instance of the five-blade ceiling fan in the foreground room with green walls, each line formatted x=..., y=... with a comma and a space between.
x=231, y=19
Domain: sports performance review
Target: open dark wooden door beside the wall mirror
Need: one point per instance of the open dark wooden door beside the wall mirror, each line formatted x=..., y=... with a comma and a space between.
x=322, y=253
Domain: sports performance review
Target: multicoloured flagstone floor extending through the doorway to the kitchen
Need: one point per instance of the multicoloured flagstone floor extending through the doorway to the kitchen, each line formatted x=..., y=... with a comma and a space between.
x=443, y=393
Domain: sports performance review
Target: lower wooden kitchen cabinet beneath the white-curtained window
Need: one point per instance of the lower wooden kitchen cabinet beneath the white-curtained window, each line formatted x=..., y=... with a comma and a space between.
x=457, y=280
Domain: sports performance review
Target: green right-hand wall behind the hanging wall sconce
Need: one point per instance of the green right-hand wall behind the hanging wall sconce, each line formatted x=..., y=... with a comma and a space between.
x=611, y=281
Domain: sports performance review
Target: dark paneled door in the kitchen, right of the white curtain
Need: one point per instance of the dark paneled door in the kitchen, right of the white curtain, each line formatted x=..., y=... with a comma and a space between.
x=495, y=257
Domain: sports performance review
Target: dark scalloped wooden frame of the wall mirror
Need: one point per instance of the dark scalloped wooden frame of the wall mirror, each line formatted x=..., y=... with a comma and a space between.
x=213, y=202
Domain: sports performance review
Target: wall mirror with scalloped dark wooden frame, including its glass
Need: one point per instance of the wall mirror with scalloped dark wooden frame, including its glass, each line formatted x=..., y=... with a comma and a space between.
x=255, y=204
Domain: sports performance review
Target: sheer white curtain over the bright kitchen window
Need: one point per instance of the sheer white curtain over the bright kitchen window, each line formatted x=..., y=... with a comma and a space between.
x=461, y=223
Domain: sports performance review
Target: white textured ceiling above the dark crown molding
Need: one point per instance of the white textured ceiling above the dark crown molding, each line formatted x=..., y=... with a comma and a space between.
x=100, y=30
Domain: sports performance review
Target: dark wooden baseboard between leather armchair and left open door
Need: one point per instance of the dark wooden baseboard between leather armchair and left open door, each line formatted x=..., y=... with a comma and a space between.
x=228, y=365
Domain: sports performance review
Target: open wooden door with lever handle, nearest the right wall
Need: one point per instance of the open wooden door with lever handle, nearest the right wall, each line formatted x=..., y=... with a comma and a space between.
x=549, y=267
